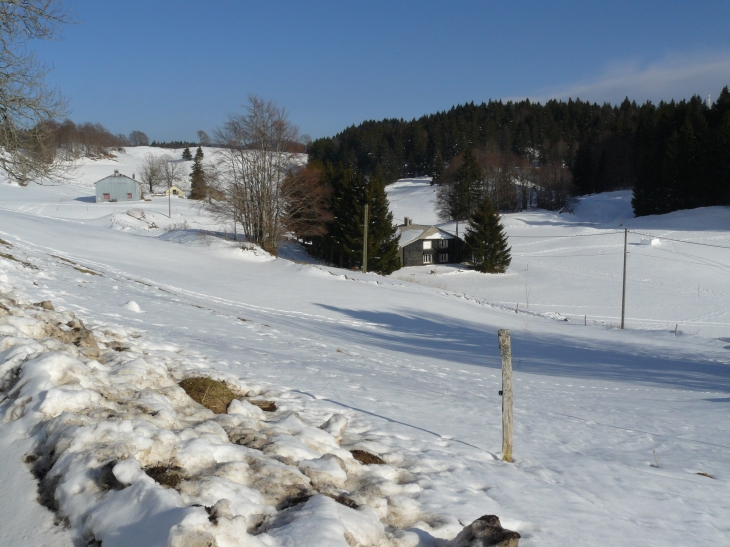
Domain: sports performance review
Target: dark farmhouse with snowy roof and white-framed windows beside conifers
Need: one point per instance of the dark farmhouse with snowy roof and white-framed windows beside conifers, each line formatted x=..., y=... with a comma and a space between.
x=420, y=244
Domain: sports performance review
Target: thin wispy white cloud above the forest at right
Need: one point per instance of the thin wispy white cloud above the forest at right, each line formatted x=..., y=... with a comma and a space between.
x=674, y=77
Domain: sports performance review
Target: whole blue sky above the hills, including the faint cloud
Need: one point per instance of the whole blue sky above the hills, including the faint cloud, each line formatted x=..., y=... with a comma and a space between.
x=169, y=68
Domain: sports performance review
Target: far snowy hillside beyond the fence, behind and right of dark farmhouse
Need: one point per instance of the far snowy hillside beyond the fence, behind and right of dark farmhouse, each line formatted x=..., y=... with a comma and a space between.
x=571, y=264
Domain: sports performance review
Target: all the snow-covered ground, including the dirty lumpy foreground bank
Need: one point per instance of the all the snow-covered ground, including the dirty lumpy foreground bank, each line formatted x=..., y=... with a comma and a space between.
x=611, y=427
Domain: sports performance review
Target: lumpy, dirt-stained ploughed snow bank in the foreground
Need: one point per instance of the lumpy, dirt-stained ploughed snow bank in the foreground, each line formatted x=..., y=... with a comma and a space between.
x=125, y=457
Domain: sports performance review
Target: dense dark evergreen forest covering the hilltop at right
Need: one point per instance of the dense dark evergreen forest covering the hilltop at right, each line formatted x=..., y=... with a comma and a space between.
x=674, y=155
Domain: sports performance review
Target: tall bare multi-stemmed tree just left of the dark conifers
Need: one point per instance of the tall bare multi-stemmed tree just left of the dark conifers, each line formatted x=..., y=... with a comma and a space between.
x=252, y=164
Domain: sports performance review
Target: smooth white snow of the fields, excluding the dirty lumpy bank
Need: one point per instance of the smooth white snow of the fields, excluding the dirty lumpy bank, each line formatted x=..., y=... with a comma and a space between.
x=611, y=427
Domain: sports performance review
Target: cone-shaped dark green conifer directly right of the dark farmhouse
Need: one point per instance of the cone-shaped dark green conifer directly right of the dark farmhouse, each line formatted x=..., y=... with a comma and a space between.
x=486, y=242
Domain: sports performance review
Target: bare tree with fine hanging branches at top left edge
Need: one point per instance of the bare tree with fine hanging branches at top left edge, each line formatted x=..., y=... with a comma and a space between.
x=27, y=103
